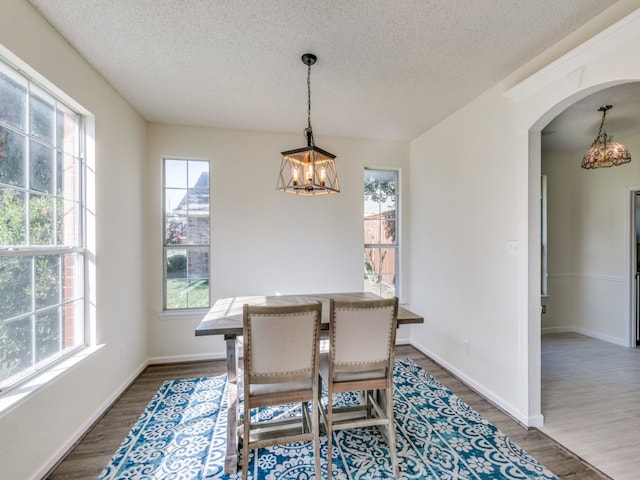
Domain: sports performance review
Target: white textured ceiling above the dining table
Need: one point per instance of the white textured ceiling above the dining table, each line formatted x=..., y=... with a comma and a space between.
x=385, y=70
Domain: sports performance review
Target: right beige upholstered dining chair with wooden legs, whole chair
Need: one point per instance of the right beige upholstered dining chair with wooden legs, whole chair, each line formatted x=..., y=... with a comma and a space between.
x=360, y=359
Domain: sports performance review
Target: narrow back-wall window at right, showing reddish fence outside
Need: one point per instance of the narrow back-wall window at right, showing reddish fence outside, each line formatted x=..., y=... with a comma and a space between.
x=381, y=232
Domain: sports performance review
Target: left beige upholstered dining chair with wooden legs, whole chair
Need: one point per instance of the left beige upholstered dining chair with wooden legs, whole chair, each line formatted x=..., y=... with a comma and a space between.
x=281, y=358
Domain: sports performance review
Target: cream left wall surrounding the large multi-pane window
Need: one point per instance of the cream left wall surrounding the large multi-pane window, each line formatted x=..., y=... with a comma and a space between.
x=37, y=431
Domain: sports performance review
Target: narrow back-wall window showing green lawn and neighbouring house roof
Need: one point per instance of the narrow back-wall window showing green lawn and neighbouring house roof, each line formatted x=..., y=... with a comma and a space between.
x=186, y=234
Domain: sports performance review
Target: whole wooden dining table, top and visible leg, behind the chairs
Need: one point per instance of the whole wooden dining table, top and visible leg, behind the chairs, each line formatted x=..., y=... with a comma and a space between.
x=225, y=318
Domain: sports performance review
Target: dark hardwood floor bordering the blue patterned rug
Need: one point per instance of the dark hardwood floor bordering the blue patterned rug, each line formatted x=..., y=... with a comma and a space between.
x=94, y=451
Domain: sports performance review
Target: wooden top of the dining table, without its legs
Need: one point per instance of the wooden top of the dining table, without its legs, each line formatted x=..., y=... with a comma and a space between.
x=225, y=317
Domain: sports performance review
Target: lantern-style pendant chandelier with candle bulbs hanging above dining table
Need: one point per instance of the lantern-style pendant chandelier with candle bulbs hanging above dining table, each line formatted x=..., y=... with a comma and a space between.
x=309, y=170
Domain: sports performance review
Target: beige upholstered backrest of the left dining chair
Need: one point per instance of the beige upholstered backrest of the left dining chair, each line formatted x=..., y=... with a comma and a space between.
x=281, y=342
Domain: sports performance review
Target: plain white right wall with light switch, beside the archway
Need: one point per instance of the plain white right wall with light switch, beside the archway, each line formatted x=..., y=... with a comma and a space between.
x=464, y=213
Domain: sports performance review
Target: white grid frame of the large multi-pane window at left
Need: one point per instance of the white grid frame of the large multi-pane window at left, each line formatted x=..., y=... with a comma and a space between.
x=70, y=303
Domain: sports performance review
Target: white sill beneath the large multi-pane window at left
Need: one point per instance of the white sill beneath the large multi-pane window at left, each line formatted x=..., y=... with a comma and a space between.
x=14, y=396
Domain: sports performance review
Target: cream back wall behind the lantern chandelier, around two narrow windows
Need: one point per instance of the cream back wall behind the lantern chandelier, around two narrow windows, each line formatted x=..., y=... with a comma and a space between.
x=265, y=242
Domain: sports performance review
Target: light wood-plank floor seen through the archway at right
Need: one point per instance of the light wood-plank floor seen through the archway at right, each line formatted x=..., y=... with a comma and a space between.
x=591, y=401
